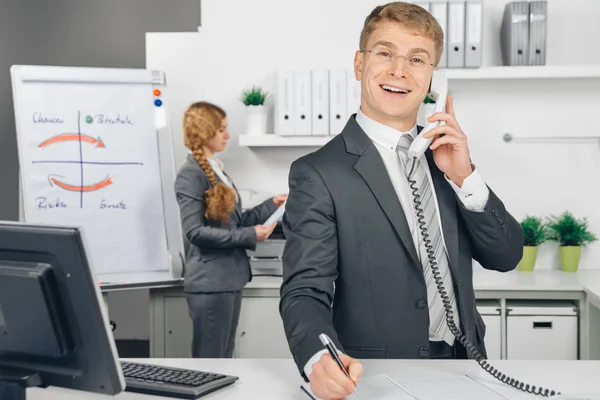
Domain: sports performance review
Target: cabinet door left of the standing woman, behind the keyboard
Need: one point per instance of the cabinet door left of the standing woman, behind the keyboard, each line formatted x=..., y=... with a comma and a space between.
x=178, y=328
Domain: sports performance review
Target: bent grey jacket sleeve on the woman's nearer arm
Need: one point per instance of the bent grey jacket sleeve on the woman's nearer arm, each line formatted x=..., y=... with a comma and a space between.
x=189, y=188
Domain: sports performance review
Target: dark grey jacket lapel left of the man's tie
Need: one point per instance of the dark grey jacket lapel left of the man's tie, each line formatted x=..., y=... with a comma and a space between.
x=371, y=168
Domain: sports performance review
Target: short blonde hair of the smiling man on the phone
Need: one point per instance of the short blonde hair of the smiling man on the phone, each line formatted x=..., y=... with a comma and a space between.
x=409, y=15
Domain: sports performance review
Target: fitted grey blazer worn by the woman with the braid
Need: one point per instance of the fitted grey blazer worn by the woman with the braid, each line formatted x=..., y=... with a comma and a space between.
x=216, y=256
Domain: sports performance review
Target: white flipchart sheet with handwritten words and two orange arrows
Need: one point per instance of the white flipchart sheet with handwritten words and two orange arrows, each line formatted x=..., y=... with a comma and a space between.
x=89, y=158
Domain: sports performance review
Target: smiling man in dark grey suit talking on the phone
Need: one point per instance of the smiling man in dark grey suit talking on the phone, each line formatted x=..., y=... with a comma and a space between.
x=355, y=266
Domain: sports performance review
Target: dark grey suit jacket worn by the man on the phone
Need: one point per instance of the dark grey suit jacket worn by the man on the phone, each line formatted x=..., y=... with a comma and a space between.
x=350, y=267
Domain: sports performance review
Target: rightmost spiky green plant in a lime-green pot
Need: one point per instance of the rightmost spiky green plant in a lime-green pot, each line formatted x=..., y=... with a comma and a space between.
x=572, y=234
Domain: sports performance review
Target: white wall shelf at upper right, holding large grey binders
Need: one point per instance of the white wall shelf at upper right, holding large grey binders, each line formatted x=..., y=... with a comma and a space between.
x=525, y=72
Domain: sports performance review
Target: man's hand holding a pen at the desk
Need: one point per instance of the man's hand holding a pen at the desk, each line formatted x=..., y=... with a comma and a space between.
x=328, y=381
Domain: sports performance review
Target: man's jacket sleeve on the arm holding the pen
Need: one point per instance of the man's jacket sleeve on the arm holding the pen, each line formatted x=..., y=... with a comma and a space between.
x=310, y=264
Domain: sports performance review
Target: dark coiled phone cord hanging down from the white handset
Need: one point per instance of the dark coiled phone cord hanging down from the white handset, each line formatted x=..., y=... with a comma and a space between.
x=471, y=349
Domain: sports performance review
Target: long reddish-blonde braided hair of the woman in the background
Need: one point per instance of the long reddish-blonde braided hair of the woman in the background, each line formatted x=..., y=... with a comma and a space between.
x=201, y=122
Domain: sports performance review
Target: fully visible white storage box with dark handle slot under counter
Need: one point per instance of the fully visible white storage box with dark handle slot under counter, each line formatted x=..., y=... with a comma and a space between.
x=541, y=330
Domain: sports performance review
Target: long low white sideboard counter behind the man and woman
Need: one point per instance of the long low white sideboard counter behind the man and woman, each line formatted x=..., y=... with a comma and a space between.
x=170, y=326
